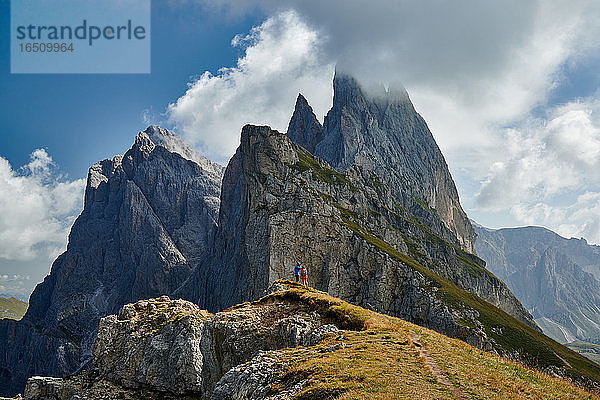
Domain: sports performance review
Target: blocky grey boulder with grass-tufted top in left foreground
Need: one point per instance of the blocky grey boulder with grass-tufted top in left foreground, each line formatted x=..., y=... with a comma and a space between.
x=153, y=343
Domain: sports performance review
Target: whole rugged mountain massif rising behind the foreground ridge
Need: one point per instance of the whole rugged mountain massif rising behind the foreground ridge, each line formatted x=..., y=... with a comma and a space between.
x=366, y=201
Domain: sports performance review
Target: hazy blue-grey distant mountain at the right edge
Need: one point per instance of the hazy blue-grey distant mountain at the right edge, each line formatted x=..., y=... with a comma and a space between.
x=543, y=270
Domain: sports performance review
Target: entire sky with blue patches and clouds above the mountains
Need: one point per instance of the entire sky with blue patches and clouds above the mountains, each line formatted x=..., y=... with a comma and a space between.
x=510, y=90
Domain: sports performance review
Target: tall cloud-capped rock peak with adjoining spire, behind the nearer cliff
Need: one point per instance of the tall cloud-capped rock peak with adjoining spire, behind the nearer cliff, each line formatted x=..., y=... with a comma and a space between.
x=380, y=131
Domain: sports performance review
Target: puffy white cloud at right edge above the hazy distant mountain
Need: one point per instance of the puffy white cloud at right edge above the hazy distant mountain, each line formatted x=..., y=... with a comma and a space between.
x=546, y=157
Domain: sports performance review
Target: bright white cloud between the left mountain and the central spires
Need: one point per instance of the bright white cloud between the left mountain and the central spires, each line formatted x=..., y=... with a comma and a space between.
x=281, y=58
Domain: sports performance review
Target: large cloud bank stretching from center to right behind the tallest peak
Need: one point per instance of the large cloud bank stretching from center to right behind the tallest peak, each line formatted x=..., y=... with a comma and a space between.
x=483, y=75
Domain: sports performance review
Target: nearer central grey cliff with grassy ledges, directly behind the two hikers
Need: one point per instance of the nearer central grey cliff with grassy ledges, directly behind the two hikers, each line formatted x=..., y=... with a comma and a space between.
x=280, y=205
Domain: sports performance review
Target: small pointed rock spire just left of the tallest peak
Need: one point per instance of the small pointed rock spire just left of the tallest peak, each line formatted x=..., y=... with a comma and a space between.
x=304, y=127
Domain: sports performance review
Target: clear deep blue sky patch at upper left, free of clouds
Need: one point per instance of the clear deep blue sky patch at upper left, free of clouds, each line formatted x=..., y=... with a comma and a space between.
x=82, y=118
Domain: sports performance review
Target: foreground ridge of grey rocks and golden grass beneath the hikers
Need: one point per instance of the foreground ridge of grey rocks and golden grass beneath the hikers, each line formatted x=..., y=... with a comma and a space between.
x=170, y=349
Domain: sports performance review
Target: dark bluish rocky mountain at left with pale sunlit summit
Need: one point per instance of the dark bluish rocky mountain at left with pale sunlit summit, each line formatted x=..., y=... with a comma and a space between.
x=149, y=217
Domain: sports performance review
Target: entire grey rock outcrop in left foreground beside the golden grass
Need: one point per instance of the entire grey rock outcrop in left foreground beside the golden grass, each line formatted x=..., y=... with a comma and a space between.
x=162, y=349
